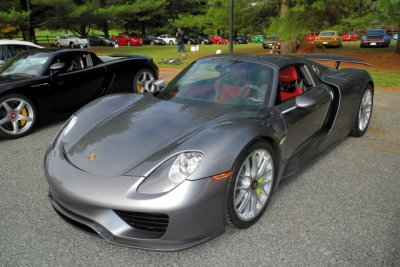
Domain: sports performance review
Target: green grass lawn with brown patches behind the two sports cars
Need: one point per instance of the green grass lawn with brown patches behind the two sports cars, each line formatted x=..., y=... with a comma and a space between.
x=385, y=68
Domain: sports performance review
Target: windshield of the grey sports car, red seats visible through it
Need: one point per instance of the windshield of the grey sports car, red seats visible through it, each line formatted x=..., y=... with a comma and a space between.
x=222, y=81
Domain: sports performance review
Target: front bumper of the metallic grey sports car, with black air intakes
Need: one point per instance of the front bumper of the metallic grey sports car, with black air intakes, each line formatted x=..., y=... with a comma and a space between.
x=194, y=210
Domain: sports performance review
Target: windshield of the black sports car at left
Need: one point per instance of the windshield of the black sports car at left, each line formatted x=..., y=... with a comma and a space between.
x=25, y=64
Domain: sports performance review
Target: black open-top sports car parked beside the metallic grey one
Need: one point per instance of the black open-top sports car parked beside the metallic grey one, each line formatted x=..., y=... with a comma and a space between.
x=41, y=84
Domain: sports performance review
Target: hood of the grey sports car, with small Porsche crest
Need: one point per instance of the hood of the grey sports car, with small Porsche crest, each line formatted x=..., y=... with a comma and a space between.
x=147, y=130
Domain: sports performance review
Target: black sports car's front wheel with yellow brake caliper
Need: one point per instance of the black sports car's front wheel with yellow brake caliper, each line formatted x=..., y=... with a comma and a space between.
x=17, y=116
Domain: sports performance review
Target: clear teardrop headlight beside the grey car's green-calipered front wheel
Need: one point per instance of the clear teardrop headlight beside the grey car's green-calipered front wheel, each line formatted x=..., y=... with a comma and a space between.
x=171, y=173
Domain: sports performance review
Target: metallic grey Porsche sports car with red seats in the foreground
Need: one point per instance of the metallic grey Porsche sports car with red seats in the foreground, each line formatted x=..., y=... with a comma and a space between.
x=219, y=139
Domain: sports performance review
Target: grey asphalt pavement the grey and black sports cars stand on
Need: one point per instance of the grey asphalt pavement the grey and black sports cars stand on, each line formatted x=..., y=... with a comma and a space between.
x=343, y=210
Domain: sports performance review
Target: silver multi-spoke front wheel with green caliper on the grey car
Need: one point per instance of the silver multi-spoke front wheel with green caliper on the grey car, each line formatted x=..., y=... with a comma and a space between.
x=250, y=187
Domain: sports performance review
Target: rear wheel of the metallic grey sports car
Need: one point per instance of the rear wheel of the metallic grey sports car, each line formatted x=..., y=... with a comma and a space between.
x=364, y=112
